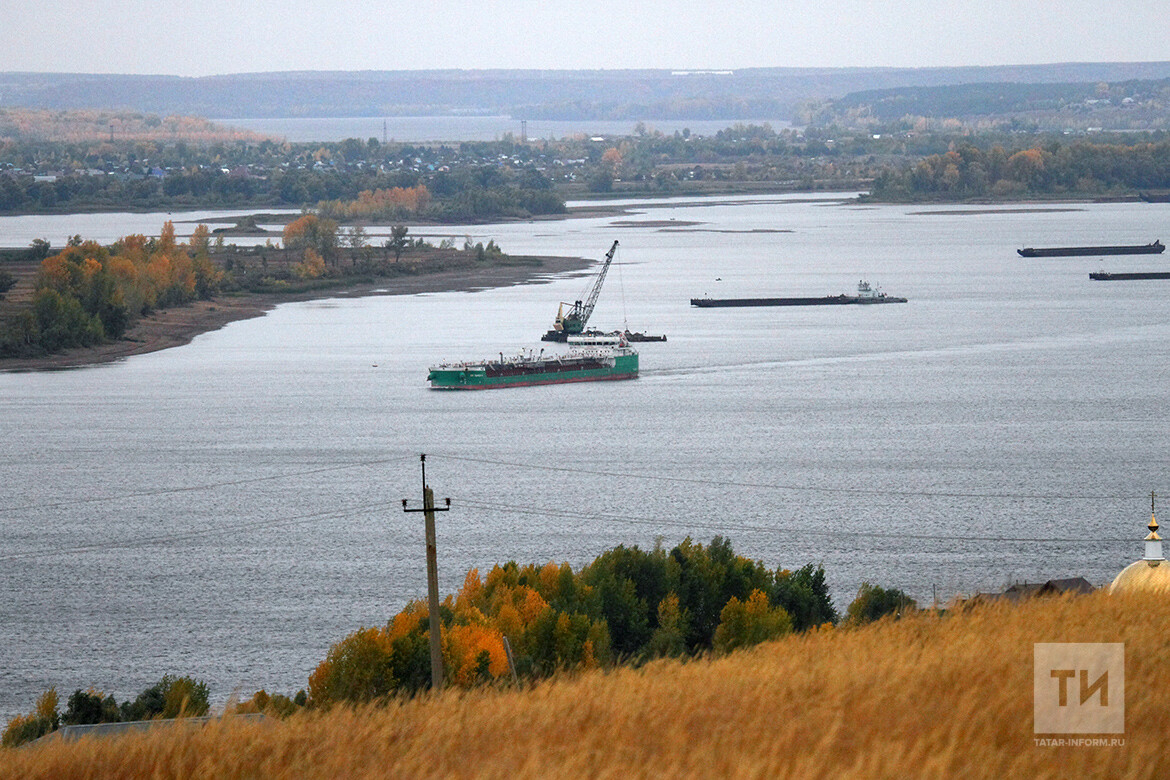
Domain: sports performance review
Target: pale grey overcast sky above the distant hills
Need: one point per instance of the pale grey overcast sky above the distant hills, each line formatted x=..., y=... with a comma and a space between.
x=191, y=38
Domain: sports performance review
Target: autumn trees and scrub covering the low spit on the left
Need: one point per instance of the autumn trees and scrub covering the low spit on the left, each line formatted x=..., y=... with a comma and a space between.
x=88, y=294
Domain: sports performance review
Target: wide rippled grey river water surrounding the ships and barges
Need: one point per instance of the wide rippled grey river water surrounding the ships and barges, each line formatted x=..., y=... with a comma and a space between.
x=231, y=508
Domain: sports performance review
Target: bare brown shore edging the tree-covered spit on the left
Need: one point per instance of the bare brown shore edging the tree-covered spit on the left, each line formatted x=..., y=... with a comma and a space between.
x=180, y=326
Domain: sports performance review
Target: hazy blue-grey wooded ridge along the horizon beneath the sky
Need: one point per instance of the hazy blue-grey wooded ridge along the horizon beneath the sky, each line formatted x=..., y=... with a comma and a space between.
x=625, y=95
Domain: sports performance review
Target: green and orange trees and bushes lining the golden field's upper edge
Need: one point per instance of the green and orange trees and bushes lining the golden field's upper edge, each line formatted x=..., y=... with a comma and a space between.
x=629, y=606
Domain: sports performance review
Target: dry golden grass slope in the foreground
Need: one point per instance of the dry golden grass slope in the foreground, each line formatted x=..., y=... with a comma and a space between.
x=925, y=696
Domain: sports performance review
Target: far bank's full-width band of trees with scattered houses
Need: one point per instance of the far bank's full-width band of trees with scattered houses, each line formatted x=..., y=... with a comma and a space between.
x=486, y=181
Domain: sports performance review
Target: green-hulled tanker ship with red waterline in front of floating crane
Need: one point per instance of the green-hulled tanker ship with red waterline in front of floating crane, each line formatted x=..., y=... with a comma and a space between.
x=525, y=370
